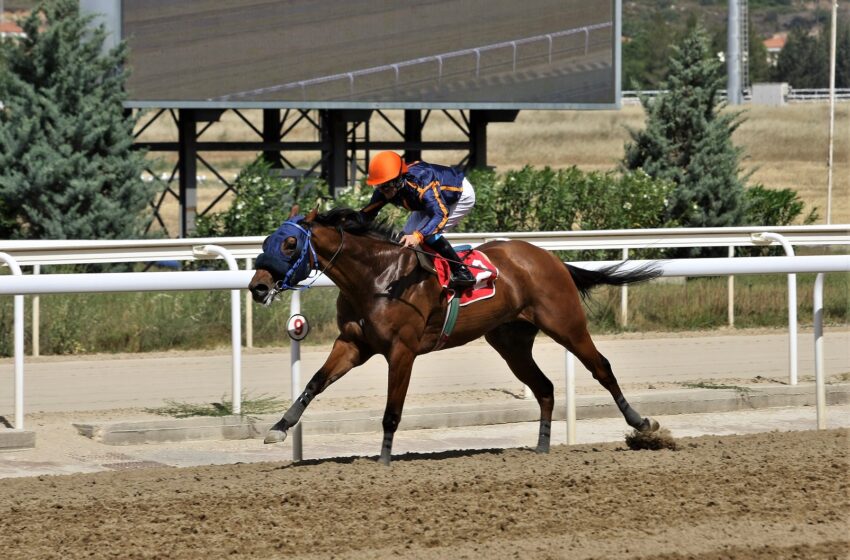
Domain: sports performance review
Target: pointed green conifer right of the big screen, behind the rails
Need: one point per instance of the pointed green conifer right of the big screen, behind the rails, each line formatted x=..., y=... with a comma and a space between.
x=688, y=140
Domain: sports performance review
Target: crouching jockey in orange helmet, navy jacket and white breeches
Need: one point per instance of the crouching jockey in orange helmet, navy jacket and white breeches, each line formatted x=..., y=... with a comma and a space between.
x=437, y=196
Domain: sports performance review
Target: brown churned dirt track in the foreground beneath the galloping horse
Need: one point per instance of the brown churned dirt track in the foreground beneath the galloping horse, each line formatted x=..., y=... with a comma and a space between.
x=772, y=495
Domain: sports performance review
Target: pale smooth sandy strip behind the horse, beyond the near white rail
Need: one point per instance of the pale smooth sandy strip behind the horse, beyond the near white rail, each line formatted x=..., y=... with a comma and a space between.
x=473, y=372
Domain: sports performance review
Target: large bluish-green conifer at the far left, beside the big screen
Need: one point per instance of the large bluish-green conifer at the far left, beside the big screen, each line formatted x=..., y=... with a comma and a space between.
x=67, y=167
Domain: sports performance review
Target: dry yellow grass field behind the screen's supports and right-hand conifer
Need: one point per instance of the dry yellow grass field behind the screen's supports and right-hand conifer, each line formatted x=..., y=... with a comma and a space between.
x=785, y=147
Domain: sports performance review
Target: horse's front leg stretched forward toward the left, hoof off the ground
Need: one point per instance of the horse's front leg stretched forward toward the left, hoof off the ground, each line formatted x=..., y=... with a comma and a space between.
x=345, y=355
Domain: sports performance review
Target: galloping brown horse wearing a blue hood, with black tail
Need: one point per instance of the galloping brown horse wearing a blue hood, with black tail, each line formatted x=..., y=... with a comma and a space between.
x=389, y=305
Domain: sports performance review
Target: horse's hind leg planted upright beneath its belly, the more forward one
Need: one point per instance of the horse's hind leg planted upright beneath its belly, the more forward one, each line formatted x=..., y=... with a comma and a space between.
x=513, y=341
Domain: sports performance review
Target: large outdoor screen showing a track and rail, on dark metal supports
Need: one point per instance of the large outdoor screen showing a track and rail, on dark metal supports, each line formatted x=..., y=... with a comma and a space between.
x=372, y=53
